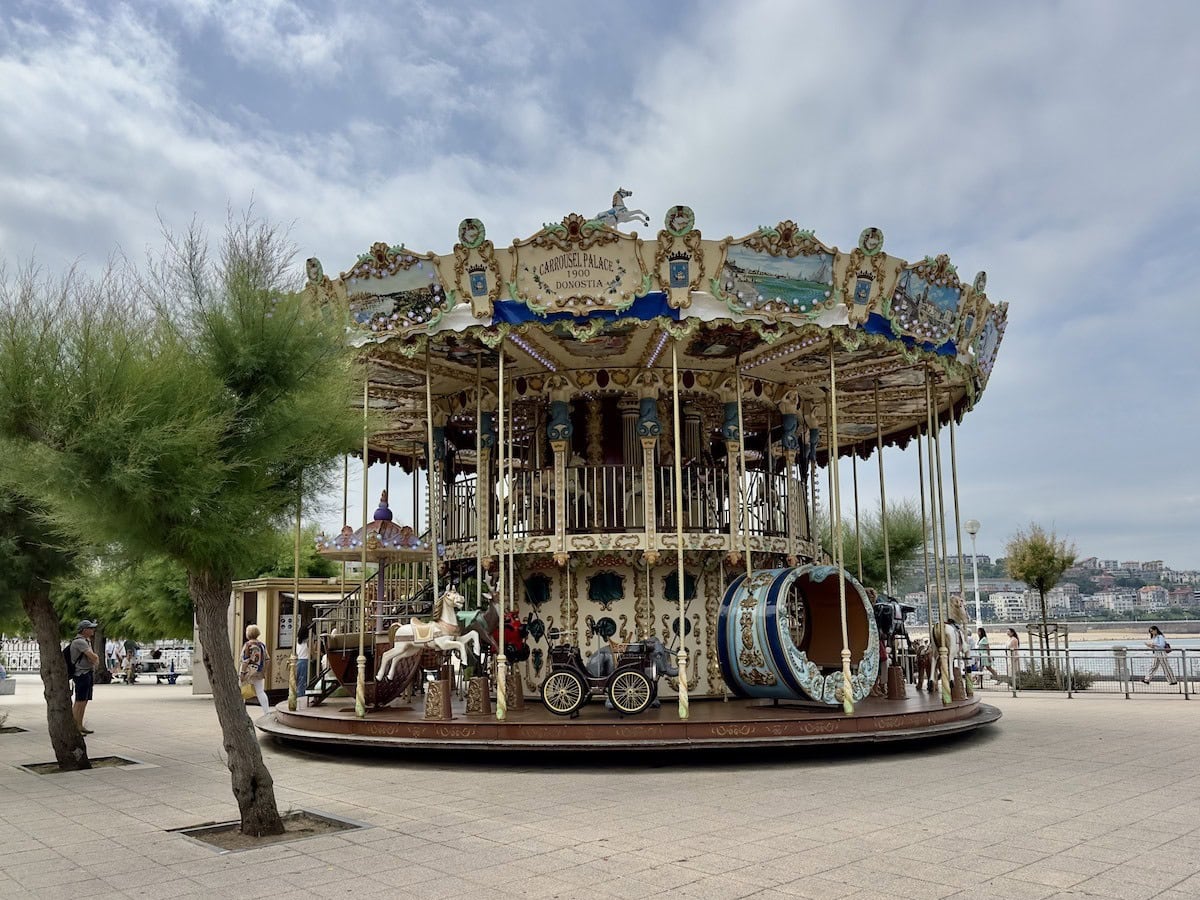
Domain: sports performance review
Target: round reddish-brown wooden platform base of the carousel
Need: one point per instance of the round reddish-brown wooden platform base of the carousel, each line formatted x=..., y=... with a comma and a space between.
x=713, y=724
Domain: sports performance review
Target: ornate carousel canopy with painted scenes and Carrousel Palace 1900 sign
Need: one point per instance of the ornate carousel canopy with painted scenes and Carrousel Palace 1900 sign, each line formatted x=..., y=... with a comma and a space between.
x=581, y=309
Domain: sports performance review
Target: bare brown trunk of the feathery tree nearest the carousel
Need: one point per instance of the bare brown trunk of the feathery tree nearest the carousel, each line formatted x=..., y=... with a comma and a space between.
x=253, y=784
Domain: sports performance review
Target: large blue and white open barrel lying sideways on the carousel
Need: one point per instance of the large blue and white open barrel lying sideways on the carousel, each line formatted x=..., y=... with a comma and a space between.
x=779, y=635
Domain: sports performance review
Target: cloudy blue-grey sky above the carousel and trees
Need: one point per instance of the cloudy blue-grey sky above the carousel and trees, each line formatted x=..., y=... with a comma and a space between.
x=1052, y=145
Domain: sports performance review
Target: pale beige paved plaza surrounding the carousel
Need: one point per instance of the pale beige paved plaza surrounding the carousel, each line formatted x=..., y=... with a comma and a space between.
x=1089, y=797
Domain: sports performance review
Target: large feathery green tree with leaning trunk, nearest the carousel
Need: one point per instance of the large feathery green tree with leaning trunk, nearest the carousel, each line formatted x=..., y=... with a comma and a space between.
x=189, y=428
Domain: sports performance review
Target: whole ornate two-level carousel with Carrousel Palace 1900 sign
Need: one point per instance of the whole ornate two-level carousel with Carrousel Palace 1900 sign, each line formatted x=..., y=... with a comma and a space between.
x=628, y=513
